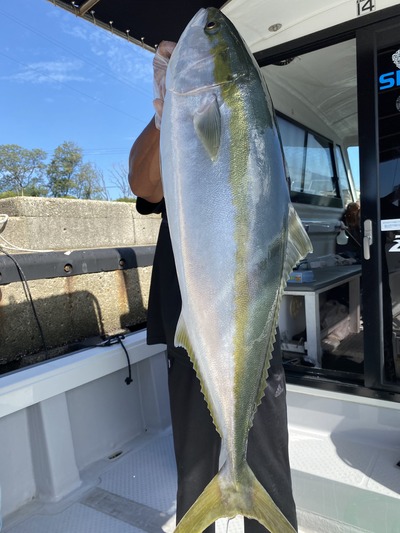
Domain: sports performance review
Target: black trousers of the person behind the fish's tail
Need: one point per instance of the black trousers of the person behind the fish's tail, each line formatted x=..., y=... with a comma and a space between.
x=197, y=443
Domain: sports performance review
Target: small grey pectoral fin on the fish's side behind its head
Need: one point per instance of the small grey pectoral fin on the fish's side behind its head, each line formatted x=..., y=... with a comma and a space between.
x=207, y=124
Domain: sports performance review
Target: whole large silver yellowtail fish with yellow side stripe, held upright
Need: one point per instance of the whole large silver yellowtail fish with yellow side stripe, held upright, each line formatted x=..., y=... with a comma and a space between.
x=236, y=238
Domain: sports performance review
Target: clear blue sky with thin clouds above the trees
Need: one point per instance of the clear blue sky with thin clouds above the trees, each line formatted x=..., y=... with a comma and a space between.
x=64, y=79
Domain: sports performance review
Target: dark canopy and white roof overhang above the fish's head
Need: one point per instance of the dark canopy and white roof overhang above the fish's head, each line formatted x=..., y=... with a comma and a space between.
x=262, y=23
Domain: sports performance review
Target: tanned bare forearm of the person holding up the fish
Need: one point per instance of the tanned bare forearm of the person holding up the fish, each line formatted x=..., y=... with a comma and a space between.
x=144, y=165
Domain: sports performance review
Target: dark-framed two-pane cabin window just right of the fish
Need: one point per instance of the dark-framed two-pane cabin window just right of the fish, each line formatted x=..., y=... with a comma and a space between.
x=311, y=166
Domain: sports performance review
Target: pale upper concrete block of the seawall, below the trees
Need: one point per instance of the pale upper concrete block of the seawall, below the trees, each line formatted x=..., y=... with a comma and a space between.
x=63, y=224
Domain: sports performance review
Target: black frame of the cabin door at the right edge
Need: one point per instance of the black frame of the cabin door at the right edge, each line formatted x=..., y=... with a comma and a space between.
x=368, y=40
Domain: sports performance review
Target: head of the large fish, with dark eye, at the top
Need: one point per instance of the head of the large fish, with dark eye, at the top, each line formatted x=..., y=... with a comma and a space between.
x=209, y=53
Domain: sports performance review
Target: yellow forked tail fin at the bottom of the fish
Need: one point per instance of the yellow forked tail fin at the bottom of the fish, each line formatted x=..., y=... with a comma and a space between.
x=226, y=497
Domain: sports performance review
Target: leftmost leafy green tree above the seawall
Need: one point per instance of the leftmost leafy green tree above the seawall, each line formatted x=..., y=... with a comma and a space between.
x=21, y=169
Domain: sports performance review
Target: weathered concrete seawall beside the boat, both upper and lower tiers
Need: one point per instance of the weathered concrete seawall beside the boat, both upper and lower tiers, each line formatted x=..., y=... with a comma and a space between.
x=75, y=307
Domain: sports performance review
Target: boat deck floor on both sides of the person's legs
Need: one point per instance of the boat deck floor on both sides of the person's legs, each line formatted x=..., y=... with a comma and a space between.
x=354, y=484
